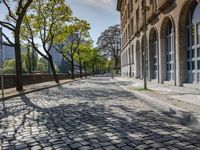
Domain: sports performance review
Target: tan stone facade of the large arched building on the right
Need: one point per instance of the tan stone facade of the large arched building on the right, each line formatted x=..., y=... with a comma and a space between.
x=174, y=12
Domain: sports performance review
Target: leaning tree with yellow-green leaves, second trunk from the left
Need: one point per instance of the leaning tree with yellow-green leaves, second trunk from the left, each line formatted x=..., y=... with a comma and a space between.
x=45, y=21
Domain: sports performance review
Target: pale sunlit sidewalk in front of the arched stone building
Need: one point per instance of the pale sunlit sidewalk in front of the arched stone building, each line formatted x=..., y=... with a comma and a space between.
x=174, y=99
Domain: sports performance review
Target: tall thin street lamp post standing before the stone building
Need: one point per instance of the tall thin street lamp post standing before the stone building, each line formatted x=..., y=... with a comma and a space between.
x=144, y=11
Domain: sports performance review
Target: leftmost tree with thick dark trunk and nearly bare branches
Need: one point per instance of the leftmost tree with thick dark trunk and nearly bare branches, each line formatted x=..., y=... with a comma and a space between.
x=13, y=23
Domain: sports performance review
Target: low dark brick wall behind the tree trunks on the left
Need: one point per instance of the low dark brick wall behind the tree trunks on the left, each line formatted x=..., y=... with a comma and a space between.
x=10, y=80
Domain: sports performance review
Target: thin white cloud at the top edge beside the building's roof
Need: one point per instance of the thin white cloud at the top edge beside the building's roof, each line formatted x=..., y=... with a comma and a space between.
x=102, y=4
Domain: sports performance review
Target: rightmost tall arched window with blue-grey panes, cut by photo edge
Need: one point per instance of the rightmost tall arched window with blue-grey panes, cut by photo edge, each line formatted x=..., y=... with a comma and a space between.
x=193, y=43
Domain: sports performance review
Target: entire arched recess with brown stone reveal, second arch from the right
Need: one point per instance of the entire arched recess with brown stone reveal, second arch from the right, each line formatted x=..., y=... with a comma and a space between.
x=167, y=50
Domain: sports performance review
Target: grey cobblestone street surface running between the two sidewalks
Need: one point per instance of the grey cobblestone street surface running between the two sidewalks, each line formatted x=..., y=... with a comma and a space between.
x=90, y=114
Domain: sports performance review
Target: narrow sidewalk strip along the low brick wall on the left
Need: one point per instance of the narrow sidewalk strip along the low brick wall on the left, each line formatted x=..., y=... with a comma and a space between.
x=11, y=92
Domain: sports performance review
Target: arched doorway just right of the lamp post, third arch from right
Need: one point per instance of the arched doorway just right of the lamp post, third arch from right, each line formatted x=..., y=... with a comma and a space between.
x=153, y=54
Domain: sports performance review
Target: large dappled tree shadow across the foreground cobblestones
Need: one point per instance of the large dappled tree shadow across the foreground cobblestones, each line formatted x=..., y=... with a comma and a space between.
x=95, y=125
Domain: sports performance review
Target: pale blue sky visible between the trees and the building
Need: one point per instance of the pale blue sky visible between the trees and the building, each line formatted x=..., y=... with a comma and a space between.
x=99, y=13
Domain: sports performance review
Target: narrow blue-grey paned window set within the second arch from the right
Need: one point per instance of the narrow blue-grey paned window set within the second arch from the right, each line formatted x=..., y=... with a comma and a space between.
x=169, y=52
